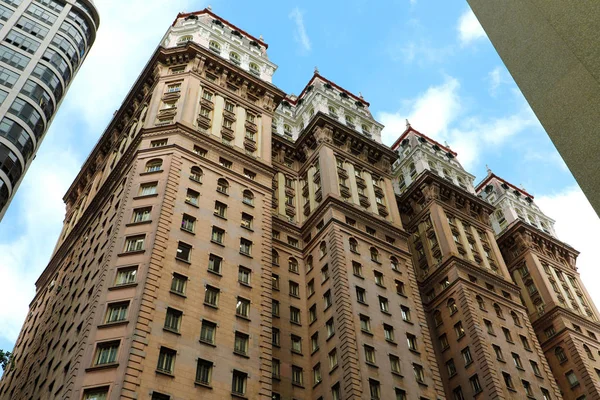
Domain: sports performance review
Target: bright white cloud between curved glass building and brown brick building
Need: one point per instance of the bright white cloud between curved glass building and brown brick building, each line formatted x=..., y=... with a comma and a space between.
x=129, y=33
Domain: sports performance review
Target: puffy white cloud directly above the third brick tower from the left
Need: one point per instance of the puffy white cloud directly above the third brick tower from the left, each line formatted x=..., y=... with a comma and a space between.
x=440, y=113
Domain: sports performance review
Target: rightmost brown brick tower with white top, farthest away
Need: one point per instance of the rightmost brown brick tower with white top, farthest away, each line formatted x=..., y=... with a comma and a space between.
x=544, y=268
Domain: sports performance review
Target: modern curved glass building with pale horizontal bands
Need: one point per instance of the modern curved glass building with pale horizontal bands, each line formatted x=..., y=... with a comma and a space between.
x=42, y=45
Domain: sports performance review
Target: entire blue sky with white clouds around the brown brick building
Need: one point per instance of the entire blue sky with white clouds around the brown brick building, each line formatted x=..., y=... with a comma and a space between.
x=427, y=61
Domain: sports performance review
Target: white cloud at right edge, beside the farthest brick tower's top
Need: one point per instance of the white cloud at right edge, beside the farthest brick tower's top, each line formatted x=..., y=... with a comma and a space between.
x=578, y=225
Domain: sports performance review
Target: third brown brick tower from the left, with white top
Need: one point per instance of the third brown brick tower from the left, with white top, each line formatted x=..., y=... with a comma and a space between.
x=483, y=340
